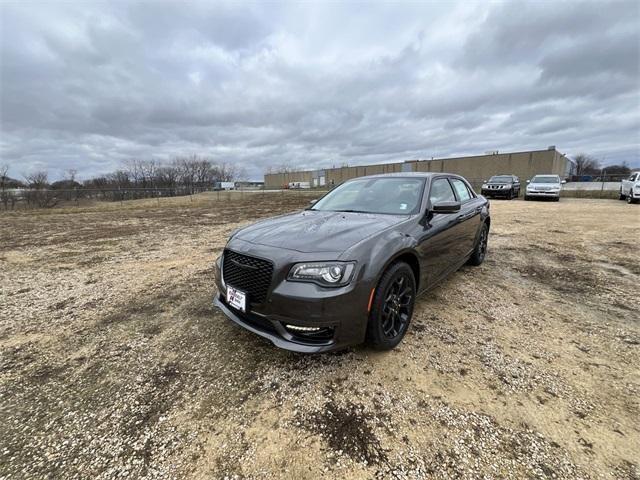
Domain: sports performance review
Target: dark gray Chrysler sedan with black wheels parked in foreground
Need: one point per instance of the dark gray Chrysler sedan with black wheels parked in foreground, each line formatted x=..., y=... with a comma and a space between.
x=349, y=268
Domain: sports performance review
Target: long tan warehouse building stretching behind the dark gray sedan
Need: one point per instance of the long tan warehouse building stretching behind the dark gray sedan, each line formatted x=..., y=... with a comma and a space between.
x=476, y=168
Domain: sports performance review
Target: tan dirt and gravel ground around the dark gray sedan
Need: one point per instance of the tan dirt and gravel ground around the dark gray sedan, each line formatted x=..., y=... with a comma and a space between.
x=114, y=364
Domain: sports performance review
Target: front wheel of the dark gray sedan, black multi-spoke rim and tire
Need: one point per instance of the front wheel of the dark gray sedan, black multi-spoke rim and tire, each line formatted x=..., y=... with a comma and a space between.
x=392, y=307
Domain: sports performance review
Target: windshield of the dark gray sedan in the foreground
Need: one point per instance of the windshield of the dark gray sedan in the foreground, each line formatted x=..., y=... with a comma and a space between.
x=395, y=196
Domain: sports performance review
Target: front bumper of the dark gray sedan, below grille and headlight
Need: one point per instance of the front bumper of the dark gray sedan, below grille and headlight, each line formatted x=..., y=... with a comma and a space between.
x=340, y=313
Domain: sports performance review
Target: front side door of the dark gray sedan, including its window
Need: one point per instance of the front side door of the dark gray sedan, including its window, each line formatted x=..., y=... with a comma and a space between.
x=440, y=237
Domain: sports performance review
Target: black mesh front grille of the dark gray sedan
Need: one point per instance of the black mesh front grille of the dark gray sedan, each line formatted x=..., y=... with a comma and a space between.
x=249, y=274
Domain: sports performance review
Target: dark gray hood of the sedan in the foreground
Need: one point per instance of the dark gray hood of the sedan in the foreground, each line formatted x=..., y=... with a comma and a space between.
x=316, y=231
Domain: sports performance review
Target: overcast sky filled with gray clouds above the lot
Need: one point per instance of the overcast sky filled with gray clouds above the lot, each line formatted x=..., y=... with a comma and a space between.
x=87, y=85
